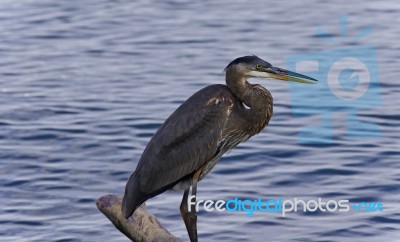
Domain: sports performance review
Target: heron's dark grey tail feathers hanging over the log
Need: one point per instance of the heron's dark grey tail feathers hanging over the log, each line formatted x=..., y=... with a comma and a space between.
x=133, y=198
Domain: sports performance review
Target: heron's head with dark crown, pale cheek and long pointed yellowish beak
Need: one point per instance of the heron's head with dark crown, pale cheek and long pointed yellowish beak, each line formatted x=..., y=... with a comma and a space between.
x=252, y=66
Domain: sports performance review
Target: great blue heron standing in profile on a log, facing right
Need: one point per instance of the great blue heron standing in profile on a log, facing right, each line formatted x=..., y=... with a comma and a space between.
x=211, y=122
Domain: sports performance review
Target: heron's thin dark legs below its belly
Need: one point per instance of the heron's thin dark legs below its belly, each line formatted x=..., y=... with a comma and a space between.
x=190, y=218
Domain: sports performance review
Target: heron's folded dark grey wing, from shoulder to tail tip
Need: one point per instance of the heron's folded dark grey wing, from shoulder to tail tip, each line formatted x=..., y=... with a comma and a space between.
x=188, y=139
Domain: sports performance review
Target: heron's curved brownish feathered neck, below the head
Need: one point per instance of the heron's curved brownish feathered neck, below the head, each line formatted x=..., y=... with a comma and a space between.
x=255, y=96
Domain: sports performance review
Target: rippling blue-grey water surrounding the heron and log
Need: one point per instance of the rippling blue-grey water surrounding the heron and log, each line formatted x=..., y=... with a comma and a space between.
x=85, y=84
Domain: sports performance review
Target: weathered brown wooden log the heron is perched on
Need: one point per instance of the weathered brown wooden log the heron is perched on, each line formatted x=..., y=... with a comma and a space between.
x=141, y=226
